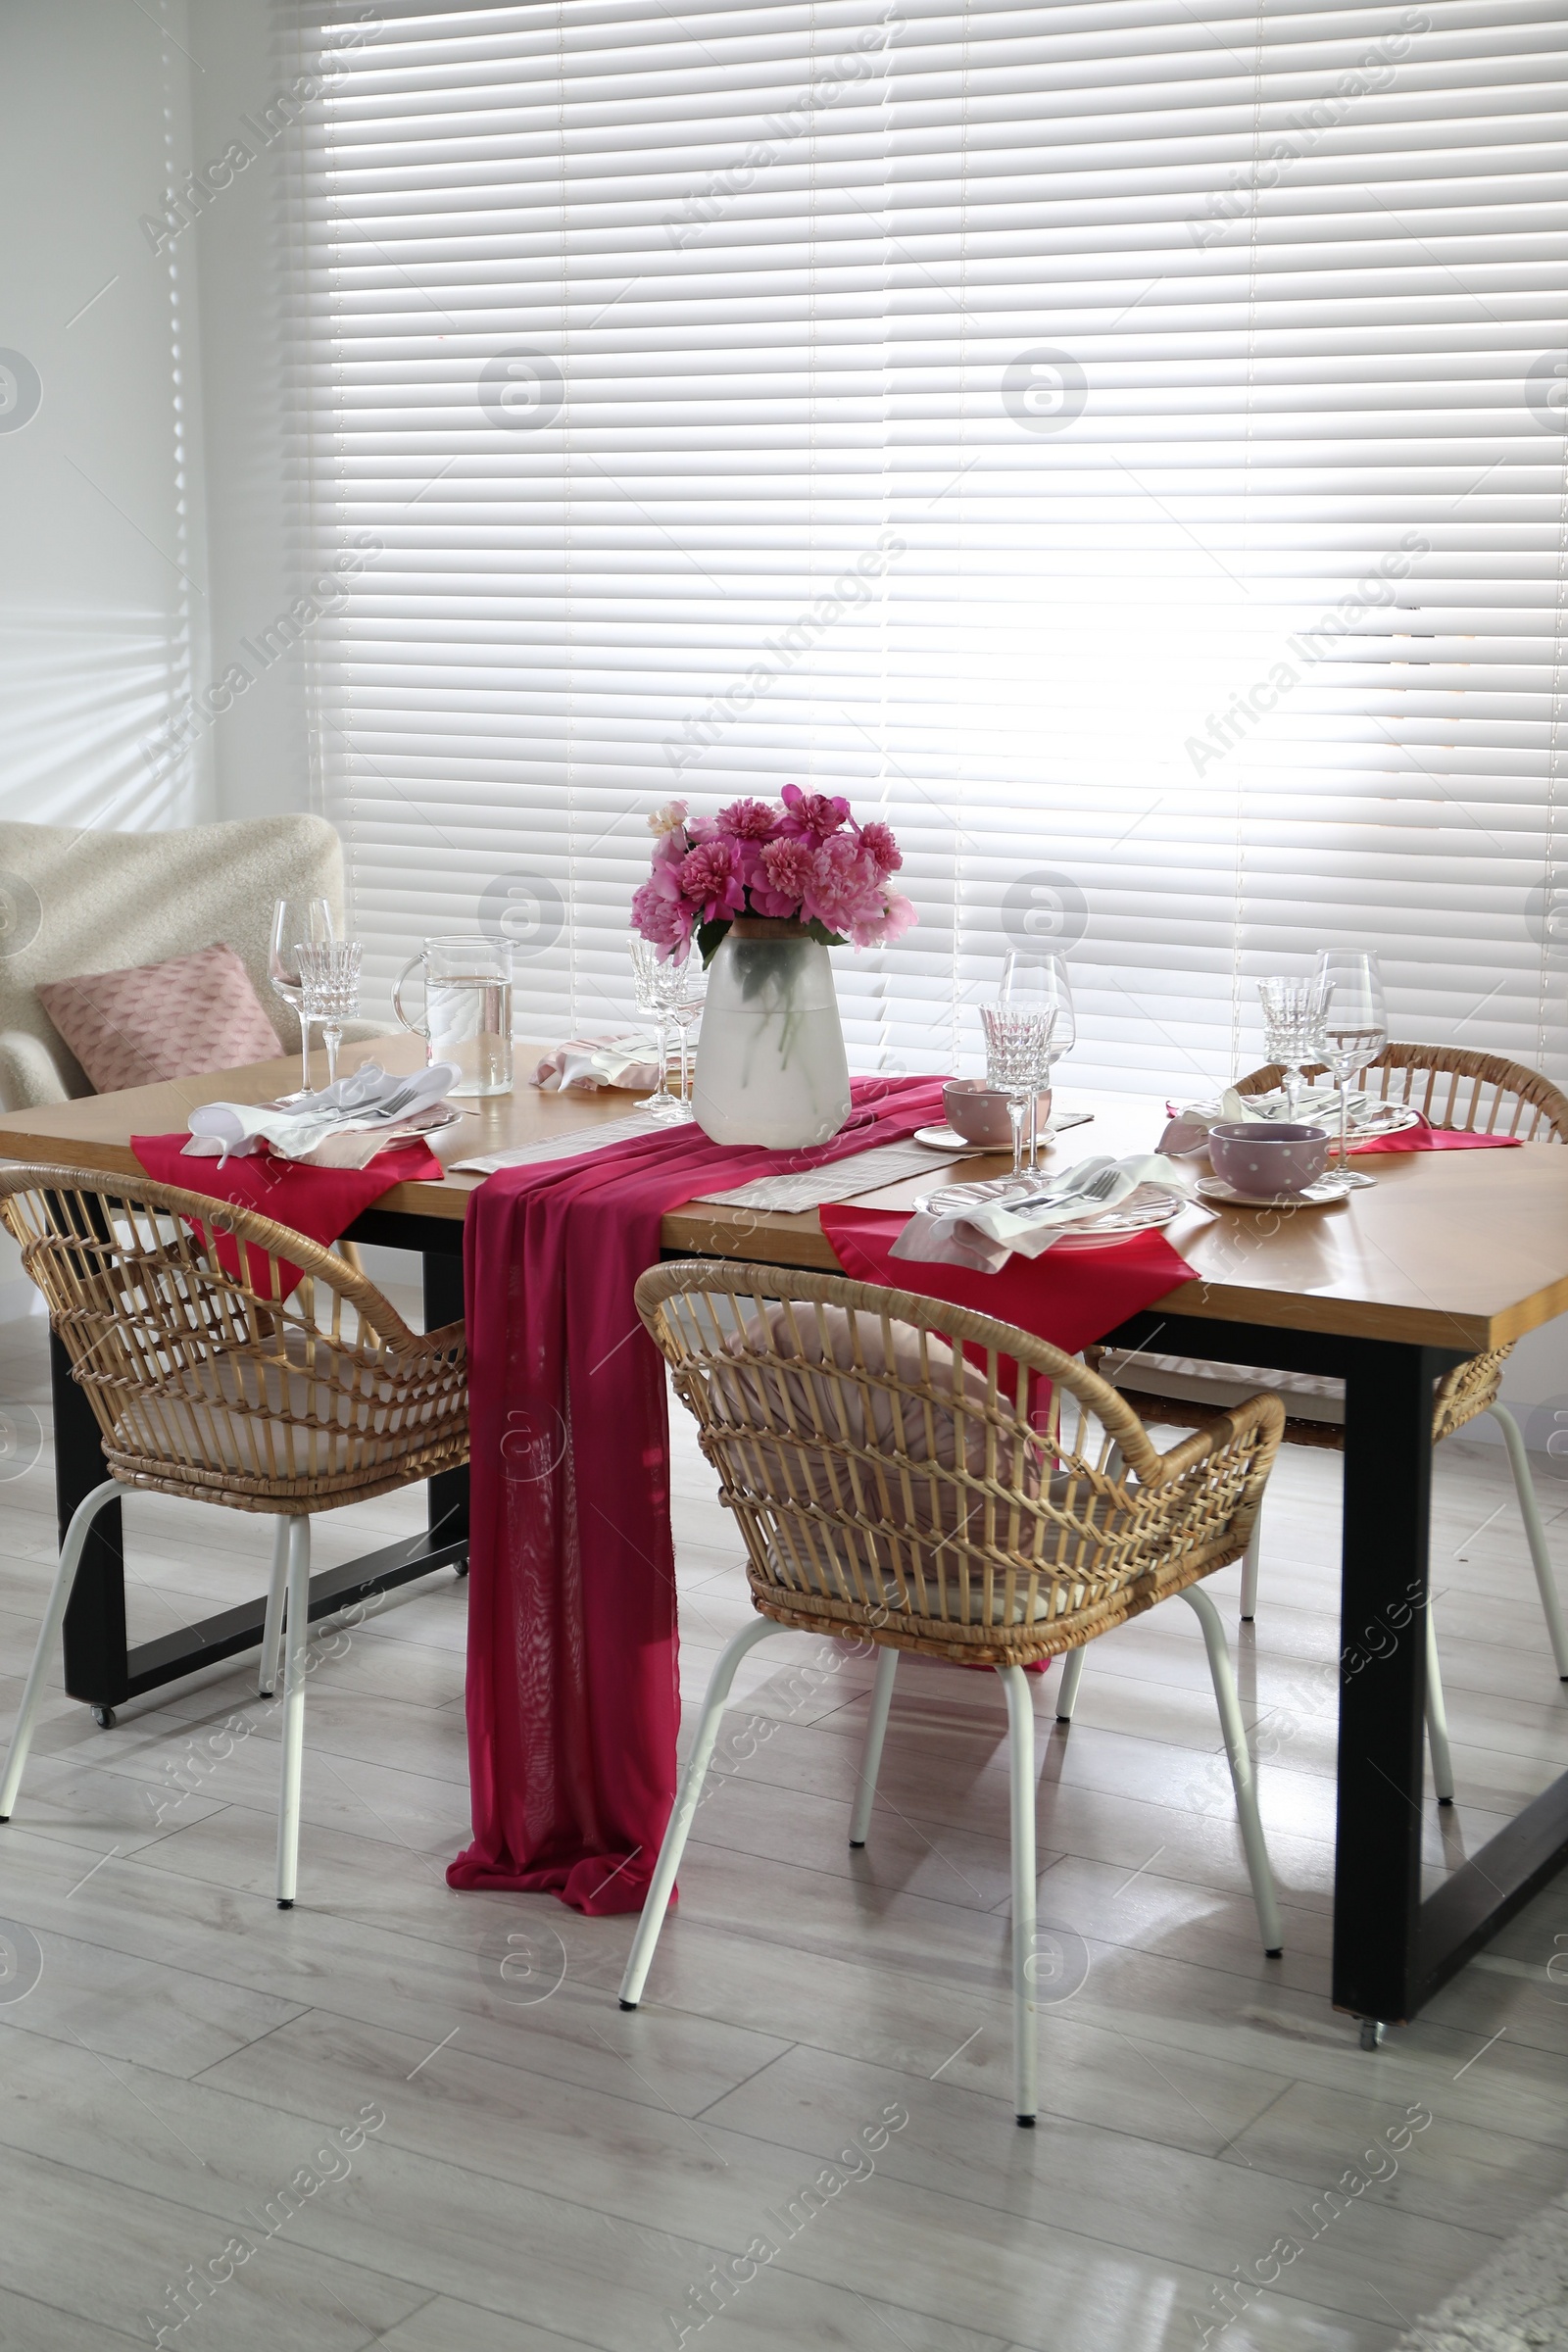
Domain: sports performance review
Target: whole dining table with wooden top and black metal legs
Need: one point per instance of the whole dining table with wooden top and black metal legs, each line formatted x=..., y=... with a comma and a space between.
x=1445, y=1257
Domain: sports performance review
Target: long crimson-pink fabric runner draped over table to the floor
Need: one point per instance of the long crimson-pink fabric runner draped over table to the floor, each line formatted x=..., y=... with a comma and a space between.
x=572, y=1683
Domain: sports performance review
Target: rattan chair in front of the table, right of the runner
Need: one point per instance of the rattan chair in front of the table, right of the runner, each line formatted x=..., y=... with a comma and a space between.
x=878, y=1455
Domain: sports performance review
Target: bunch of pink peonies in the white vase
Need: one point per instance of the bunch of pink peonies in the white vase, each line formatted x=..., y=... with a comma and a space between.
x=805, y=862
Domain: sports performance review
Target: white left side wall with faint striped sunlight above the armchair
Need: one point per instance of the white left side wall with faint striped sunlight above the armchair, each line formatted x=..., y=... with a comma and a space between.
x=105, y=606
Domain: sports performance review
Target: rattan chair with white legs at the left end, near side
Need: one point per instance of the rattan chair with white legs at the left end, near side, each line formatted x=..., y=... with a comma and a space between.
x=210, y=1384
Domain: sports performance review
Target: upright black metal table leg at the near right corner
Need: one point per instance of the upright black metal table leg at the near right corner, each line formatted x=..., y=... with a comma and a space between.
x=1383, y=1678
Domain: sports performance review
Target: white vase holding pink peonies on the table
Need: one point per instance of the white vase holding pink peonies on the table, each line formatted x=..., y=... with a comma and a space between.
x=770, y=1064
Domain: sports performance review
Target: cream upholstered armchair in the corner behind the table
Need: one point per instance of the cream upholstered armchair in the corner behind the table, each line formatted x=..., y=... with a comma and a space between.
x=98, y=902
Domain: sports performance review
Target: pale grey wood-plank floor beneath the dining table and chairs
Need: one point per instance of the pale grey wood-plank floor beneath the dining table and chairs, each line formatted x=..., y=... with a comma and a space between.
x=554, y=2172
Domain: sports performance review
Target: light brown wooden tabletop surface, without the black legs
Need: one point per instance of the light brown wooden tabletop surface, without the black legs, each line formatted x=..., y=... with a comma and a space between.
x=1449, y=1250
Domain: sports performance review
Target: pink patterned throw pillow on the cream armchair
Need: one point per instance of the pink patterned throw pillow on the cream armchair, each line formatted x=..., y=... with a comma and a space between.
x=180, y=1020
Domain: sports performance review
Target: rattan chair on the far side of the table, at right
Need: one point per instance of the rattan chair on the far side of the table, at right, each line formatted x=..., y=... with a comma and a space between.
x=1480, y=1095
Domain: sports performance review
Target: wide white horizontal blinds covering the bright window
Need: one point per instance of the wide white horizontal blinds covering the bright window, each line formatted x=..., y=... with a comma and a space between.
x=1120, y=443
